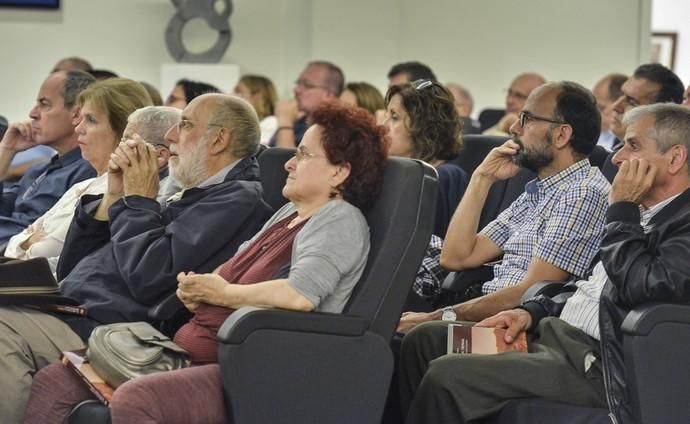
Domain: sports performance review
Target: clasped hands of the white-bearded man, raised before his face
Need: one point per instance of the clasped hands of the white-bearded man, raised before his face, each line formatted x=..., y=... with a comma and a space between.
x=133, y=169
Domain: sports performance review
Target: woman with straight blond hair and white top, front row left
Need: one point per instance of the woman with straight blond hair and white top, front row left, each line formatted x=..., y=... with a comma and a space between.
x=104, y=109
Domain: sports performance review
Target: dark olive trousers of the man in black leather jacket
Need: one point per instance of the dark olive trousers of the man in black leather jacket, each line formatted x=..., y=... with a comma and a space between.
x=459, y=388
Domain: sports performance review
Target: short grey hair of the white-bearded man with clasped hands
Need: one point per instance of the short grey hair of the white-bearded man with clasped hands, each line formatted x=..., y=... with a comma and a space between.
x=241, y=119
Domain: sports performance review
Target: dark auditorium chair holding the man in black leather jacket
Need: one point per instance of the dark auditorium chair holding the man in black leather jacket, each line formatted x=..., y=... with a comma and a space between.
x=655, y=336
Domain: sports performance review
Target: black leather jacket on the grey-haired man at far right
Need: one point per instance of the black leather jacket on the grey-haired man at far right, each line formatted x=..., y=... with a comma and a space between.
x=641, y=268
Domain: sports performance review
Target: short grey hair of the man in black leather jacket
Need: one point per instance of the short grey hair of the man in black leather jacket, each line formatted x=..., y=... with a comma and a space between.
x=671, y=124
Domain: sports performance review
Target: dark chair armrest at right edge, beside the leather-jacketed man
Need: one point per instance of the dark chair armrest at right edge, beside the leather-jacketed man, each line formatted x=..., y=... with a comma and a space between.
x=642, y=320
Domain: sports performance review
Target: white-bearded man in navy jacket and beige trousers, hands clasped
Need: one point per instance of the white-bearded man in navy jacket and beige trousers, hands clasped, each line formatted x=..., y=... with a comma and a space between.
x=131, y=248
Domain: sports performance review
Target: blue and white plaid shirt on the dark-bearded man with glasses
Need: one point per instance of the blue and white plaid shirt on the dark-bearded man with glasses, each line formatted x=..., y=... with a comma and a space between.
x=559, y=220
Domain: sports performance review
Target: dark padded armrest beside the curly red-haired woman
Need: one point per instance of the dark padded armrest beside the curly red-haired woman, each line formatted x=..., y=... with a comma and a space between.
x=238, y=326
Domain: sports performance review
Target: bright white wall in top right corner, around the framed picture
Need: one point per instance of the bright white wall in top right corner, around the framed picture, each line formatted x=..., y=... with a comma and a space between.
x=672, y=16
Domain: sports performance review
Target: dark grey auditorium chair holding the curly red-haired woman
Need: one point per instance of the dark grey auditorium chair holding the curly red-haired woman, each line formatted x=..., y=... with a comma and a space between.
x=286, y=366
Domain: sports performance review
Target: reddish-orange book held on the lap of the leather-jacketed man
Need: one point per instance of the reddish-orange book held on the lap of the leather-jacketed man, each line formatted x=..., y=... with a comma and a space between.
x=466, y=338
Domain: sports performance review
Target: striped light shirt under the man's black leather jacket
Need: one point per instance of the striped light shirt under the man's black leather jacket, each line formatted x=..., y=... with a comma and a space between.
x=581, y=310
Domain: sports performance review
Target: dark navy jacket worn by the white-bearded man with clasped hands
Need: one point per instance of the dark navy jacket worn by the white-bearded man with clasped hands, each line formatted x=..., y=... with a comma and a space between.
x=117, y=270
